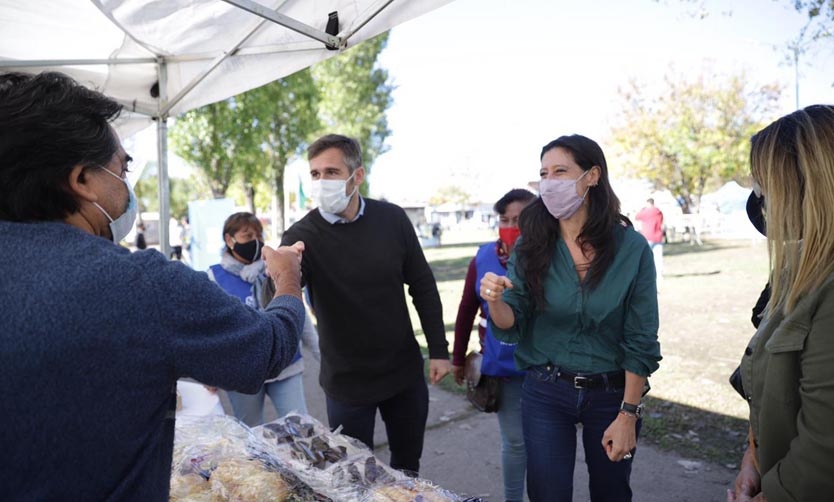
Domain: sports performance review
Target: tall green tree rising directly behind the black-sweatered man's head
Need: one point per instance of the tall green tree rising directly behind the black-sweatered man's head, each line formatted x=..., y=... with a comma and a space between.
x=356, y=94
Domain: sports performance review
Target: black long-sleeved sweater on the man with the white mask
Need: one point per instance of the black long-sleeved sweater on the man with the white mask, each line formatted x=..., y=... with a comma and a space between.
x=355, y=273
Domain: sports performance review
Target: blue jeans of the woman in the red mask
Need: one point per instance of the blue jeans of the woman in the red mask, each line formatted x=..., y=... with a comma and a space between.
x=513, y=454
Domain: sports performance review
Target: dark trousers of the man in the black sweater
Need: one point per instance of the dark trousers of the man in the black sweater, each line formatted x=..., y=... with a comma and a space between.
x=405, y=416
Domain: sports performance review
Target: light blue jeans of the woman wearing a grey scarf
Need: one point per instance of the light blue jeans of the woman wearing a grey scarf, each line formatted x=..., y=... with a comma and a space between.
x=287, y=395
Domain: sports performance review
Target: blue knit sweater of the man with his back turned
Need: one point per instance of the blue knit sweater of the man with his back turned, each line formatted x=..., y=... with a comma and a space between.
x=92, y=341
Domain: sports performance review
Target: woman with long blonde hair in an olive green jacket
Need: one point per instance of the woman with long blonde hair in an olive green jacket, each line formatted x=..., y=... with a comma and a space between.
x=788, y=367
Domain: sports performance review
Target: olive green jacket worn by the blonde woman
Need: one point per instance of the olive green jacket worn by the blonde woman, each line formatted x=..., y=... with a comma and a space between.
x=788, y=374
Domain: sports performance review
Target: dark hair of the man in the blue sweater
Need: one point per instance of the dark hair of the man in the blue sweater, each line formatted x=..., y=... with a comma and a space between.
x=49, y=124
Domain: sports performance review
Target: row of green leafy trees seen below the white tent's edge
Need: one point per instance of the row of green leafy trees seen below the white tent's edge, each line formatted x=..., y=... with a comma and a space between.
x=251, y=137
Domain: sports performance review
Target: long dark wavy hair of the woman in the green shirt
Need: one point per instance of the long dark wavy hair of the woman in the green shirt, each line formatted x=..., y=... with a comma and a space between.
x=540, y=230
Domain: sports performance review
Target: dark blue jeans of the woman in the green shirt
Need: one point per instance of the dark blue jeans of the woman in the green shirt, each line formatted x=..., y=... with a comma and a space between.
x=550, y=410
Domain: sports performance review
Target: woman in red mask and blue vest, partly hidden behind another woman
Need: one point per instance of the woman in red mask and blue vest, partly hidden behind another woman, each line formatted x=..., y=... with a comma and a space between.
x=497, y=356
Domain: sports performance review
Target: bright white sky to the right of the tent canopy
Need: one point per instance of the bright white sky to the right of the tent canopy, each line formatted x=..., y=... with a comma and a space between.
x=483, y=84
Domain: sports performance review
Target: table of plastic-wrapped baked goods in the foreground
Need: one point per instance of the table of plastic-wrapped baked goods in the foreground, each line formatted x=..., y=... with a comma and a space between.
x=294, y=458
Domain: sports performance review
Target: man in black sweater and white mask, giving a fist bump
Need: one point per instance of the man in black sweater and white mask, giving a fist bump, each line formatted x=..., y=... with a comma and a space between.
x=359, y=253
